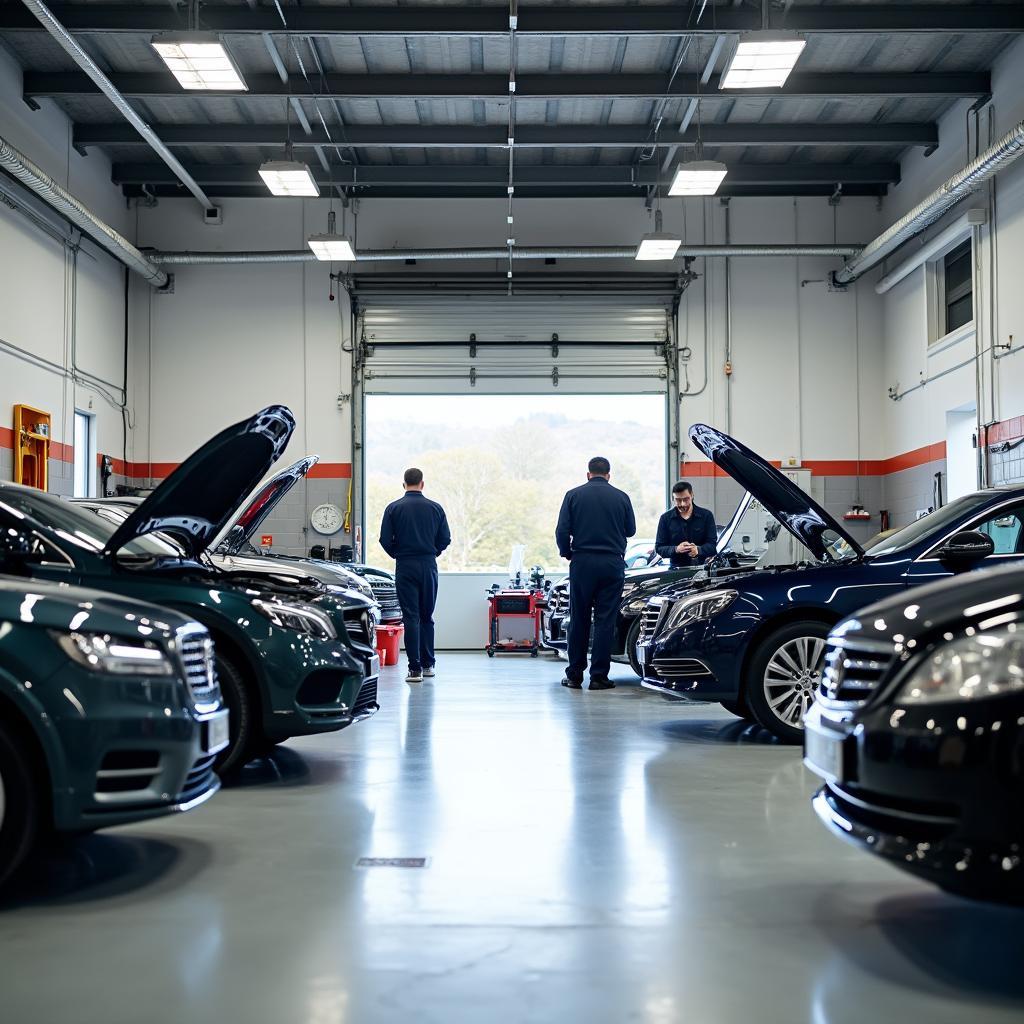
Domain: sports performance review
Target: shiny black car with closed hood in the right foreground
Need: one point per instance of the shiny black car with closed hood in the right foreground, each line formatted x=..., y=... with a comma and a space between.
x=918, y=730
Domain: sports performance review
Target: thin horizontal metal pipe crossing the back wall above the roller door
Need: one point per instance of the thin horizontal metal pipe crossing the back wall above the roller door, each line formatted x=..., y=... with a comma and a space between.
x=522, y=252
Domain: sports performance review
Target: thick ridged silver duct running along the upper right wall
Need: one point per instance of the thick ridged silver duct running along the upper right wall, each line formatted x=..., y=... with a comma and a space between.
x=934, y=206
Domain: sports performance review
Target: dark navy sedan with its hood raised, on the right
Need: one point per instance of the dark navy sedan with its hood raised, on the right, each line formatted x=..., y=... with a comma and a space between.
x=755, y=642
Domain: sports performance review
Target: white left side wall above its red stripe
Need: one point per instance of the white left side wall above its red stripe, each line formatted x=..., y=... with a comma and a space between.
x=67, y=312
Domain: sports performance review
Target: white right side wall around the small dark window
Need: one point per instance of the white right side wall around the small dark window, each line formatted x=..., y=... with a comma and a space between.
x=920, y=419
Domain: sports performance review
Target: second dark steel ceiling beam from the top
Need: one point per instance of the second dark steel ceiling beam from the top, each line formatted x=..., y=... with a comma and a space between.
x=160, y=86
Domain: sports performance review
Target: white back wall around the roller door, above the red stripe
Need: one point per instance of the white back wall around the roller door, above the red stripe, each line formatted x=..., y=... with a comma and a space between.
x=273, y=331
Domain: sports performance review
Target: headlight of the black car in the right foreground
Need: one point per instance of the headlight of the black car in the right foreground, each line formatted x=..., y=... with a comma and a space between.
x=987, y=665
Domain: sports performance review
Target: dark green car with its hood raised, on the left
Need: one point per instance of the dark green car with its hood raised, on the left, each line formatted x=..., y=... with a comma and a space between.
x=290, y=660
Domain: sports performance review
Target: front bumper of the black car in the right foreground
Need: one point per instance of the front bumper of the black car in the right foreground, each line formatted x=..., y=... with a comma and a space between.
x=935, y=790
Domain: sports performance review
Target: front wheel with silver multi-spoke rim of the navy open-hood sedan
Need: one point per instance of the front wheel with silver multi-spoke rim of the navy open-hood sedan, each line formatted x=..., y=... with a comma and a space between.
x=784, y=676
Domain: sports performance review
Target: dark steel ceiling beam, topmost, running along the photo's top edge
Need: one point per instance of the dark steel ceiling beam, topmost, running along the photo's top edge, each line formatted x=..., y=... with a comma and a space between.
x=669, y=20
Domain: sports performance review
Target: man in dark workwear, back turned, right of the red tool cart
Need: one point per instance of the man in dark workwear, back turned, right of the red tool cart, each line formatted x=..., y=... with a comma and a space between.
x=593, y=526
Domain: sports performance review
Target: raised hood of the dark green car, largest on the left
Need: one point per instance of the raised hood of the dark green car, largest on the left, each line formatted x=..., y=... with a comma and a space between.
x=196, y=502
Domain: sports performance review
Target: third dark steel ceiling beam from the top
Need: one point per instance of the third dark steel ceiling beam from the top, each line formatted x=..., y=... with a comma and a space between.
x=528, y=137
